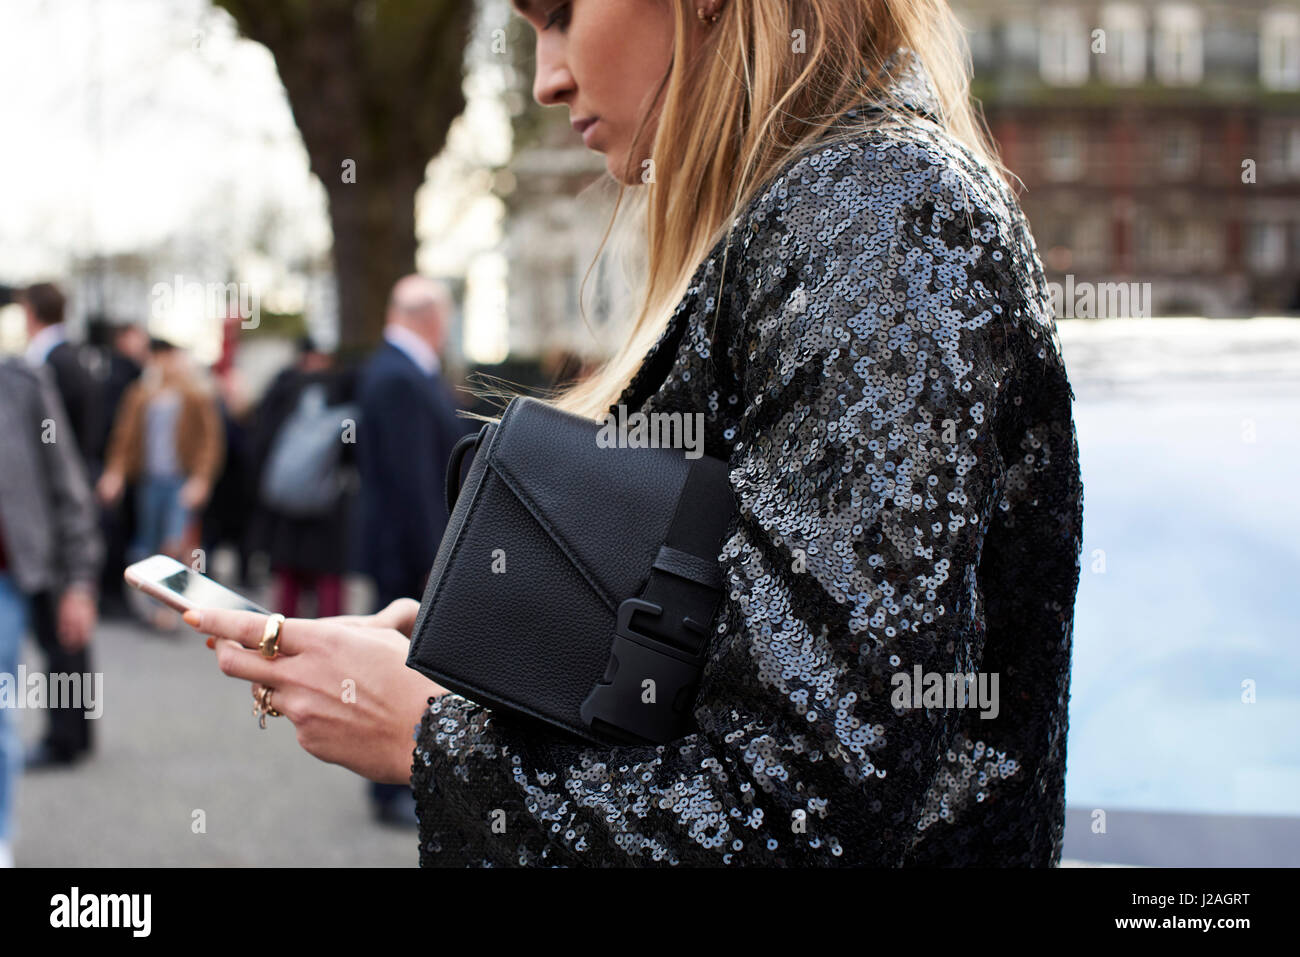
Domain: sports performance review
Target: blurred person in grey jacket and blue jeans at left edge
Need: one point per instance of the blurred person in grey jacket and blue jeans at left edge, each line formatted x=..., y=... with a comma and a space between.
x=50, y=555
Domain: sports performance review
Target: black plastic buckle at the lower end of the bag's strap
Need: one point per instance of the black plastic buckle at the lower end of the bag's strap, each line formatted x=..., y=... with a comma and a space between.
x=643, y=666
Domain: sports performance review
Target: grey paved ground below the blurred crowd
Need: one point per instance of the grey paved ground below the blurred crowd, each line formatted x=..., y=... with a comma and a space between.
x=179, y=738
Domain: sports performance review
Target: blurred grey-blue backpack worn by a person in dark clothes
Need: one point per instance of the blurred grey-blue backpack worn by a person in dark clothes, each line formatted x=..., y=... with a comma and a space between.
x=304, y=477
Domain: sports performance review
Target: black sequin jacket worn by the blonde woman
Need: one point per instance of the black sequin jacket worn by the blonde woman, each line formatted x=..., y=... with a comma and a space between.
x=879, y=363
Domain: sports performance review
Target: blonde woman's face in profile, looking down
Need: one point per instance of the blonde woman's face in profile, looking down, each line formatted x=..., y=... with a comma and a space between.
x=605, y=60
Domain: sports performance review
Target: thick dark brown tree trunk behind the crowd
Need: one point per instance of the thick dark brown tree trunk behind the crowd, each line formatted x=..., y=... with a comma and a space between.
x=374, y=89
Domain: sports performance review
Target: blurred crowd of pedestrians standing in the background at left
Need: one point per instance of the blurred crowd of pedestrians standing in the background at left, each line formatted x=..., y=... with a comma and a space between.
x=123, y=447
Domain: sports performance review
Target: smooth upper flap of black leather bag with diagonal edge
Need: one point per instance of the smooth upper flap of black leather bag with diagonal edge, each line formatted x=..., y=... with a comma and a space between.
x=608, y=509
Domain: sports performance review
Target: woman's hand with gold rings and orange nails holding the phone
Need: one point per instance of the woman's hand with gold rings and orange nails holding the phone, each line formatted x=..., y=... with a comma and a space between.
x=346, y=687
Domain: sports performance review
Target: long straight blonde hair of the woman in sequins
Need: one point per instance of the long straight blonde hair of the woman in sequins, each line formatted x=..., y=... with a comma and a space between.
x=744, y=106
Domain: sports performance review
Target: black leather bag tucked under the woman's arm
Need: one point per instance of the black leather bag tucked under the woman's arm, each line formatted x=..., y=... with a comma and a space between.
x=575, y=584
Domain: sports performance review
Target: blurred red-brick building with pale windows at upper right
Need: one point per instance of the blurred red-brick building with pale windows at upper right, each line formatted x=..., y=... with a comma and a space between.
x=1158, y=142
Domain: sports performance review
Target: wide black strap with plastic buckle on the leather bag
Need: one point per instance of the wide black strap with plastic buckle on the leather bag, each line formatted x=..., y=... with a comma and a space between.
x=662, y=635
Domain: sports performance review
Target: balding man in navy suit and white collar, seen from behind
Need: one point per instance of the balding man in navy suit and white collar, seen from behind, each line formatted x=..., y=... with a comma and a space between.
x=405, y=439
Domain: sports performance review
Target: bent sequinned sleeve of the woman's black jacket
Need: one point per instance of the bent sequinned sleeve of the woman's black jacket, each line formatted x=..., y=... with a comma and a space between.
x=868, y=362
